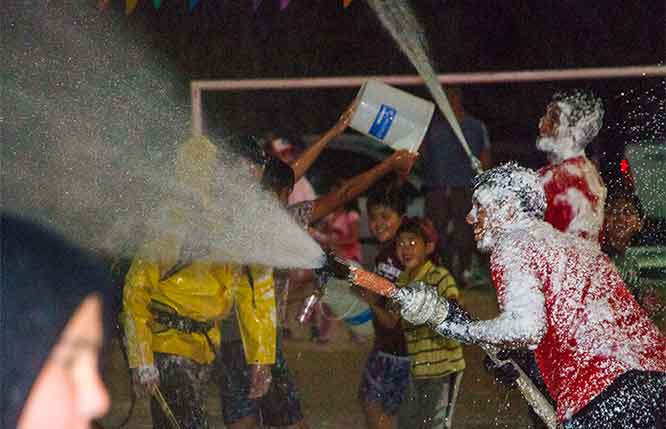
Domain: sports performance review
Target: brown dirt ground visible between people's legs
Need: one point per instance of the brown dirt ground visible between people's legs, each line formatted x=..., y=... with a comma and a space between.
x=328, y=376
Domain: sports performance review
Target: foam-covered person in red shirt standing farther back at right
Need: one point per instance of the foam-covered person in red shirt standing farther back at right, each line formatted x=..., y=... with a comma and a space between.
x=575, y=192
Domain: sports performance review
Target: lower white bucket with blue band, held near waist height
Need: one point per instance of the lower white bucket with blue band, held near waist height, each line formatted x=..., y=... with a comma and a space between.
x=355, y=312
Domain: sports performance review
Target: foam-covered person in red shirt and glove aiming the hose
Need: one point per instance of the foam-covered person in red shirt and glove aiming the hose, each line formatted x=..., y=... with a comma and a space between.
x=603, y=360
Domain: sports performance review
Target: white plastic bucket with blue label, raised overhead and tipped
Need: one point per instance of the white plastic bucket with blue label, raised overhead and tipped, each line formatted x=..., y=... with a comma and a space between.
x=391, y=116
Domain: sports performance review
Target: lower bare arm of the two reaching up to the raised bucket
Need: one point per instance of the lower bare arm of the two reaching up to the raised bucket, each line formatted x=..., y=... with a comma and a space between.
x=400, y=161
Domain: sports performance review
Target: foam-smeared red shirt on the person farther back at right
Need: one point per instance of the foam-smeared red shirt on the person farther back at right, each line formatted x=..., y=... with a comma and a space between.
x=575, y=197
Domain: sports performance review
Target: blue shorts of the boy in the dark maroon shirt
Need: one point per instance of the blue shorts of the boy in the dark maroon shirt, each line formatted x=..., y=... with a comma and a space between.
x=385, y=381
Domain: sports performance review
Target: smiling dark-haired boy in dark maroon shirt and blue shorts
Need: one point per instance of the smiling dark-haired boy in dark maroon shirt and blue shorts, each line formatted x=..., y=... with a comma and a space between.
x=386, y=376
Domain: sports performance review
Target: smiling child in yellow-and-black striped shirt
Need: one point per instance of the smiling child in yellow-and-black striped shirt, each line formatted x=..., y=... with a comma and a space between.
x=437, y=362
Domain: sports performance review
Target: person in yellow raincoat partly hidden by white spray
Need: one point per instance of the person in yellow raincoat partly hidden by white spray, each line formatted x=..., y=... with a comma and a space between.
x=176, y=292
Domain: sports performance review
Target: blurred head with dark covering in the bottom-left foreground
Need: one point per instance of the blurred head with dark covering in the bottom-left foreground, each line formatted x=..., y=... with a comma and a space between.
x=53, y=310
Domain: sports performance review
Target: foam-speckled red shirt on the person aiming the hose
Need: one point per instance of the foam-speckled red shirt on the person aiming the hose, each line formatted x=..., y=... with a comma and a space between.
x=595, y=330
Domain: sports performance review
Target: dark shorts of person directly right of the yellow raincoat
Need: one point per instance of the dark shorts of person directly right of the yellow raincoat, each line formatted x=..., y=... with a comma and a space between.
x=279, y=407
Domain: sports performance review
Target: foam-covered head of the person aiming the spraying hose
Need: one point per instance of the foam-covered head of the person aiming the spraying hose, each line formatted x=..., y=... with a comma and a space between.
x=503, y=196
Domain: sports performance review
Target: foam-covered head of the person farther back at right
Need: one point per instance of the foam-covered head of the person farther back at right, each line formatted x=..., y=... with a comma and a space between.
x=571, y=121
